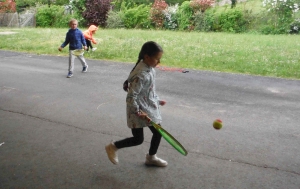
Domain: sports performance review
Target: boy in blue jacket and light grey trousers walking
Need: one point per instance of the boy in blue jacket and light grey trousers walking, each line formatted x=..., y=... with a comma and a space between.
x=75, y=39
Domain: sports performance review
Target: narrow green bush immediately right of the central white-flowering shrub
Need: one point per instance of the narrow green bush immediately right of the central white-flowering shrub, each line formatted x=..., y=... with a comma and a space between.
x=185, y=16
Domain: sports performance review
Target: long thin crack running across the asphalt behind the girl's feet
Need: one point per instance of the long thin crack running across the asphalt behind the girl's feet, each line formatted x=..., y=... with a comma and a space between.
x=107, y=133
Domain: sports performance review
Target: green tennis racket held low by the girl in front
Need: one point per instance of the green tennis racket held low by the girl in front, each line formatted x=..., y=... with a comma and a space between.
x=168, y=137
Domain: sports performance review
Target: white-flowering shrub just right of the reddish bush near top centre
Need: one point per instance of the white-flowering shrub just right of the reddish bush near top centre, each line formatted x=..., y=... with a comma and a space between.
x=170, y=17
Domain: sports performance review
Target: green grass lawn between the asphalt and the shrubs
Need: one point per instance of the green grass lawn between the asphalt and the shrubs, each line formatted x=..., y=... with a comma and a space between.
x=266, y=55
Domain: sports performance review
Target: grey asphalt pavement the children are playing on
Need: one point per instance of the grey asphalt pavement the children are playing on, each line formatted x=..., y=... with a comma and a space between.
x=53, y=129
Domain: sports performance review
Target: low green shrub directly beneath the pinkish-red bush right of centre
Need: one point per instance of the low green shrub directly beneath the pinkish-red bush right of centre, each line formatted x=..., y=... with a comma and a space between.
x=204, y=21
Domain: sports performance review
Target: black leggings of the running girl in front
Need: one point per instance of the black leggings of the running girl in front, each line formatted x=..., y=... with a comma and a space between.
x=138, y=138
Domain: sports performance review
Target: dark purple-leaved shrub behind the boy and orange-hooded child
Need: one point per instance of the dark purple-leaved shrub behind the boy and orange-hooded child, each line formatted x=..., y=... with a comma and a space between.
x=96, y=11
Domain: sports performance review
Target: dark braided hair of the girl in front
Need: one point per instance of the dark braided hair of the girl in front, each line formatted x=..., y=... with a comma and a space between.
x=149, y=48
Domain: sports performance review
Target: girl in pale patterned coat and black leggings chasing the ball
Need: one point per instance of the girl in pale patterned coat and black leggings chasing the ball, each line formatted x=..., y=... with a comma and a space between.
x=141, y=101
